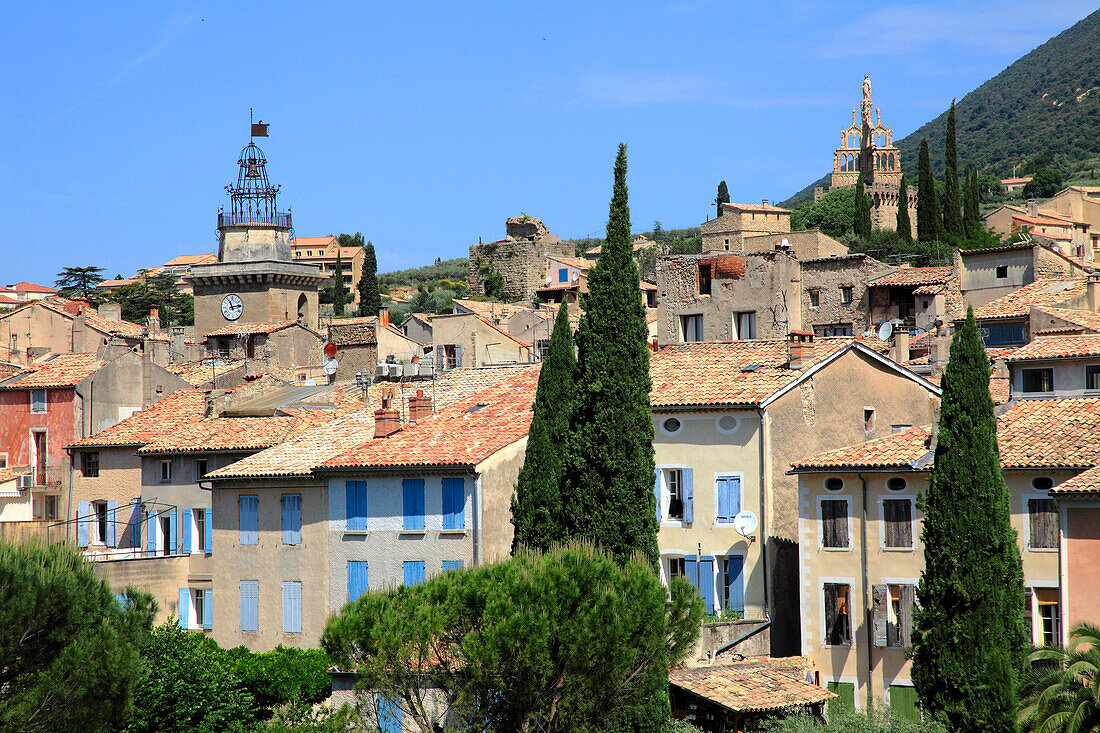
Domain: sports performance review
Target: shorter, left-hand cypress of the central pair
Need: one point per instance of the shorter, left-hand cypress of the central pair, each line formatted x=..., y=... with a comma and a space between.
x=537, y=506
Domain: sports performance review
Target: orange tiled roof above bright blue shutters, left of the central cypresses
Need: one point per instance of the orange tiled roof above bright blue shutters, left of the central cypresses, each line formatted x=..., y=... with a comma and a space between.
x=465, y=434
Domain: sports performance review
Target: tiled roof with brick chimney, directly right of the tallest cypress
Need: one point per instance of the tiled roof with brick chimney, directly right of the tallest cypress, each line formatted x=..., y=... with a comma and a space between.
x=727, y=373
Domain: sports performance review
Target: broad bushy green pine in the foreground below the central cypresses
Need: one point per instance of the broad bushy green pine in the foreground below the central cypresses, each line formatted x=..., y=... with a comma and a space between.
x=557, y=642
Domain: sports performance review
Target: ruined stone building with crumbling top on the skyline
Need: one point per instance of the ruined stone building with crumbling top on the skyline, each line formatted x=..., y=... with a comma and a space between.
x=519, y=259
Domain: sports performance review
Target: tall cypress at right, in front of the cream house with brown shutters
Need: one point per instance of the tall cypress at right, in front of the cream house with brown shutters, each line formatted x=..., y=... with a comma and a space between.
x=970, y=639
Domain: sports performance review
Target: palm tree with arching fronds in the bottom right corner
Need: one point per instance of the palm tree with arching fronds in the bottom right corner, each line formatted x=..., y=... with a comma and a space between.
x=1061, y=692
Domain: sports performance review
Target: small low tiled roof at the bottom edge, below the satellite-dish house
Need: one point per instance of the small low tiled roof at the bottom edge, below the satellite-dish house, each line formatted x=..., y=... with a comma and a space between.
x=752, y=686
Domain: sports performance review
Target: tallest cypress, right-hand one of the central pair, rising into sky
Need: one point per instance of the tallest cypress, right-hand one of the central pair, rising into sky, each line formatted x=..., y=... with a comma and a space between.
x=609, y=486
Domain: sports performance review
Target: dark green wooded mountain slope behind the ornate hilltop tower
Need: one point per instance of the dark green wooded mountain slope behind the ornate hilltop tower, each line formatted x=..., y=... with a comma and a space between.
x=1046, y=106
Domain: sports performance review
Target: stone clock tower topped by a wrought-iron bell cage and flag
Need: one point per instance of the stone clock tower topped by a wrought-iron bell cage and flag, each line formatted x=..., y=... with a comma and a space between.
x=256, y=280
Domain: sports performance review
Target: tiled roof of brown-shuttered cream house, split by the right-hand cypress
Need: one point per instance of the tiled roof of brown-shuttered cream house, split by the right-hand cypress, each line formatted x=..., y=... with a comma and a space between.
x=1031, y=434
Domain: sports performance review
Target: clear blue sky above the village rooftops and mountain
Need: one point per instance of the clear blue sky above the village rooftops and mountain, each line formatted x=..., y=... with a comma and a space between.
x=425, y=126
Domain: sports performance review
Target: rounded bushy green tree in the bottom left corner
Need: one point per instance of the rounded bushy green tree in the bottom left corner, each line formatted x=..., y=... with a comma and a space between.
x=68, y=660
